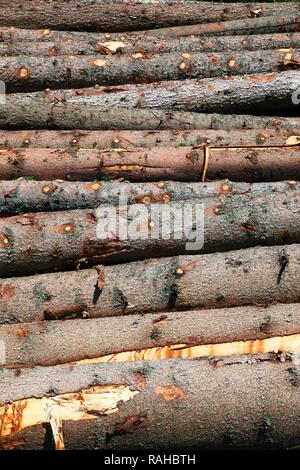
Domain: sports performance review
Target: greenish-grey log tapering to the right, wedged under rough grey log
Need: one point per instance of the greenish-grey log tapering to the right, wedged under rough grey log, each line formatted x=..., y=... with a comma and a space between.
x=33, y=112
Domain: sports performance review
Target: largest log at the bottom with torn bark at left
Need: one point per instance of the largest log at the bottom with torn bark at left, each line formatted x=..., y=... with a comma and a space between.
x=144, y=394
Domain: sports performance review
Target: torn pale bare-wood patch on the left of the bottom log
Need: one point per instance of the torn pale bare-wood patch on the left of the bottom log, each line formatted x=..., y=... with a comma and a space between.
x=85, y=404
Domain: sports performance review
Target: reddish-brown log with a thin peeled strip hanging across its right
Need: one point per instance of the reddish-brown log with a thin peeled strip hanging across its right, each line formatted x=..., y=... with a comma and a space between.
x=250, y=164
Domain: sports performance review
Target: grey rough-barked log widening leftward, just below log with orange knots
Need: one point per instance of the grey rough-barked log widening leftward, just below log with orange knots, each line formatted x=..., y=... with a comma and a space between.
x=241, y=94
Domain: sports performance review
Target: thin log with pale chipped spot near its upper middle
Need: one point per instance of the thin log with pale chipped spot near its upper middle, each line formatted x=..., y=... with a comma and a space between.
x=92, y=44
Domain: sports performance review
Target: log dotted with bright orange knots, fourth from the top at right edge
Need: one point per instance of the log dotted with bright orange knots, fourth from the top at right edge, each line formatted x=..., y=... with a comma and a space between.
x=34, y=73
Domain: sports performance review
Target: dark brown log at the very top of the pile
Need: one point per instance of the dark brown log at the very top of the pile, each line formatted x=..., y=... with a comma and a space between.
x=123, y=16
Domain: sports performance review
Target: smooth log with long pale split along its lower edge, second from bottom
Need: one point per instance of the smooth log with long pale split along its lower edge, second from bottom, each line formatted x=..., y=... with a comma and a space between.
x=172, y=335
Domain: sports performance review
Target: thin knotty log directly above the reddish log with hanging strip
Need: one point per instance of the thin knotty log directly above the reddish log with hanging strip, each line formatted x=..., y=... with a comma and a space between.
x=116, y=139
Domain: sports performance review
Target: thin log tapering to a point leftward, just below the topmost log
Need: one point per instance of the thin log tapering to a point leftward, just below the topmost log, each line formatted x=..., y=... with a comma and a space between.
x=268, y=24
